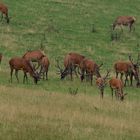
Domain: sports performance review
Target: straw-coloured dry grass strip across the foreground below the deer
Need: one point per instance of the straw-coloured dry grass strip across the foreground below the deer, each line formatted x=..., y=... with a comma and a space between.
x=77, y=116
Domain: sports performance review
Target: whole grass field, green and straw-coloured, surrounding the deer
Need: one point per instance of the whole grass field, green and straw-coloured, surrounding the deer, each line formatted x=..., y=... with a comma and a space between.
x=47, y=111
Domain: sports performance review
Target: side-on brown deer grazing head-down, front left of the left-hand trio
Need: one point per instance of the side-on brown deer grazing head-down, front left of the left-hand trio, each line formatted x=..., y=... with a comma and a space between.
x=18, y=63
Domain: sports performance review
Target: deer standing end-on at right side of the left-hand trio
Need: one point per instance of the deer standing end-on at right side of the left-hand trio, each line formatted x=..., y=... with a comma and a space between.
x=44, y=67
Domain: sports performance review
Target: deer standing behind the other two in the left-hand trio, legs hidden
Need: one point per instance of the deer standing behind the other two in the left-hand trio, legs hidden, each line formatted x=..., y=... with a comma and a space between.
x=34, y=56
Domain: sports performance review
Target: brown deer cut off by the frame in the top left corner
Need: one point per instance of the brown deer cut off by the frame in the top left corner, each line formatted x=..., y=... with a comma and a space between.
x=4, y=11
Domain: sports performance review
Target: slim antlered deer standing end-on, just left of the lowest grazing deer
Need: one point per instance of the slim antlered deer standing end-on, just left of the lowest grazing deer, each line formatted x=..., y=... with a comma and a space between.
x=101, y=83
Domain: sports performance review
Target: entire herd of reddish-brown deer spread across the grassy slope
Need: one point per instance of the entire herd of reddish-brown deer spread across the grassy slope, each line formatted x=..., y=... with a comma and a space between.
x=74, y=62
